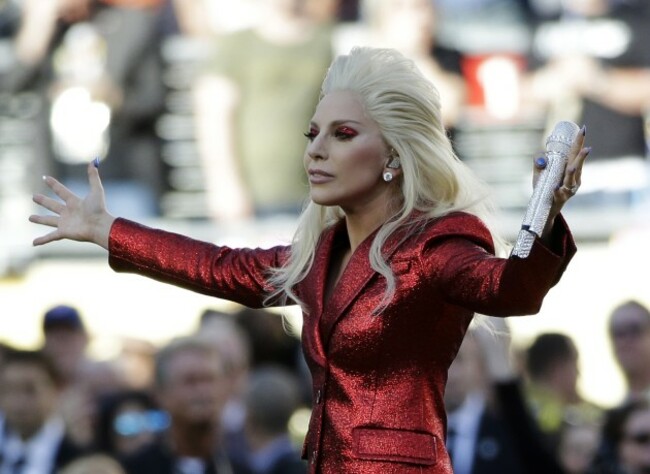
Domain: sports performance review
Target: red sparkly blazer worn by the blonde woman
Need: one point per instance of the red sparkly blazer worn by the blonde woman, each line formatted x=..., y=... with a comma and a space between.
x=378, y=380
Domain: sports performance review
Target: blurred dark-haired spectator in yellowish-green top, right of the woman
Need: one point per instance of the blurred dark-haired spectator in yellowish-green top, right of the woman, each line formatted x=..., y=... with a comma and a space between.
x=552, y=390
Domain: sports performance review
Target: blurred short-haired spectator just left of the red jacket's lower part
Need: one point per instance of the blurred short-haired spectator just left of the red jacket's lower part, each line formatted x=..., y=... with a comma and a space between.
x=272, y=396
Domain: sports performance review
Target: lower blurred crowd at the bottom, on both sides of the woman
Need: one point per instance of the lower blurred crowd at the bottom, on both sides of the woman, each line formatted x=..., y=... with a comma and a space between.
x=233, y=396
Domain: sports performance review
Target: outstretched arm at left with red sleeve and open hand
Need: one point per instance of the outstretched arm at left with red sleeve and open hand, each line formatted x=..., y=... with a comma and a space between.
x=218, y=271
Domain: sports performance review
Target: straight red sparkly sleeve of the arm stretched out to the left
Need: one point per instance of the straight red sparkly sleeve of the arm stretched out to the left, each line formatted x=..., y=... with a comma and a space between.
x=239, y=275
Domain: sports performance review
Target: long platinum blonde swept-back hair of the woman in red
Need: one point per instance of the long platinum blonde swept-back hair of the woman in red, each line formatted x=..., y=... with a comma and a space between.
x=406, y=107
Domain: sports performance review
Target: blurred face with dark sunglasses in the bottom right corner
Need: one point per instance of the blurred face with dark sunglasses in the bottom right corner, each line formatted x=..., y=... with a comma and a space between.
x=634, y=450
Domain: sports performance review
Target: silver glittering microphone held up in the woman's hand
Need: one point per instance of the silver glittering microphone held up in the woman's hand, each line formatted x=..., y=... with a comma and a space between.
x=558, y=144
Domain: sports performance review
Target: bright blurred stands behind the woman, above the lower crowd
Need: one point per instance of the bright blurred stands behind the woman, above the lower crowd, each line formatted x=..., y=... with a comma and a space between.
x=196, y=111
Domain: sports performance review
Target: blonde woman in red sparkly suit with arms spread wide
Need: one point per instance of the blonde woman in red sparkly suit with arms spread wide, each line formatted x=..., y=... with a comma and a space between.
x=389, y=263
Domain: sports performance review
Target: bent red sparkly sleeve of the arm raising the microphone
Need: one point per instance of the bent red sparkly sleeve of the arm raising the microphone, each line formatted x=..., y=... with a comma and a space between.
x=468, y=274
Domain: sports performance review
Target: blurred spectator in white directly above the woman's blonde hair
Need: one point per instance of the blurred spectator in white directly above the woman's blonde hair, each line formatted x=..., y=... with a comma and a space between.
x=411, y=27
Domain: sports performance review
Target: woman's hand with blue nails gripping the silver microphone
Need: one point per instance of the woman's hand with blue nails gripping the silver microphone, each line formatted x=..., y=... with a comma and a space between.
x=571, y=180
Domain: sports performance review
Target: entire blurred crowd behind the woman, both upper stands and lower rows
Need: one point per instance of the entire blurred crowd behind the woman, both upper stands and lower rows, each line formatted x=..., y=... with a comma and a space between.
x=196, y=110
